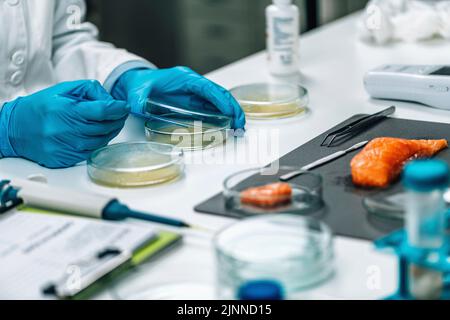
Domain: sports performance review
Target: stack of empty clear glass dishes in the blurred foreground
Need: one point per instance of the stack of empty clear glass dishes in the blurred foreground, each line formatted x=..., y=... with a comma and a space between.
x=296, y=252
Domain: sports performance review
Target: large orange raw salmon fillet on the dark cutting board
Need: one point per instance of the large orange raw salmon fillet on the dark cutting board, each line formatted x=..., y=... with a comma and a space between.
x=382, y=160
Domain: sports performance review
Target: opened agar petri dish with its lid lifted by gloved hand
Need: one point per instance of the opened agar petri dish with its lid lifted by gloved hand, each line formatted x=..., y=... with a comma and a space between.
x=187, y=129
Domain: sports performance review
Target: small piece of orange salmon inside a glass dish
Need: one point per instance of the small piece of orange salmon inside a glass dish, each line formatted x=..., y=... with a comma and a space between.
x=270, y=195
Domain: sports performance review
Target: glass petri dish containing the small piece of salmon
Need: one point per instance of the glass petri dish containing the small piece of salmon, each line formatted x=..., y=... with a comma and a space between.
x=305, y=196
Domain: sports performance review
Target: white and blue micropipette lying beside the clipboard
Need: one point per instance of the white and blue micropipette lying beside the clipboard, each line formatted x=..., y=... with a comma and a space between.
x=42, y=196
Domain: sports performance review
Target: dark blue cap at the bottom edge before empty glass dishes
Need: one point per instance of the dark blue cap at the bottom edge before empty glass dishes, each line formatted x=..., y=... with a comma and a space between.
x=261, y=290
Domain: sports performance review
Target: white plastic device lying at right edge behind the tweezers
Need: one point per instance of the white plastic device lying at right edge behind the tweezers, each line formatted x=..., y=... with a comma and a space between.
x=425, y=84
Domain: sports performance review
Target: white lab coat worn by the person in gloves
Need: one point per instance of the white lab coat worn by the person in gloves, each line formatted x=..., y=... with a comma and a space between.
x=43, y=42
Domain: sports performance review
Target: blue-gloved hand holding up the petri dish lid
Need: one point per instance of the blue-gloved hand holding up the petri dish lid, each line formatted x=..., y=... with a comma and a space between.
x=179, y=86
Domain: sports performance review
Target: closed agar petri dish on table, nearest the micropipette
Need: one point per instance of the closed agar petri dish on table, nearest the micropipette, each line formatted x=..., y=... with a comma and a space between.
x=135, y=164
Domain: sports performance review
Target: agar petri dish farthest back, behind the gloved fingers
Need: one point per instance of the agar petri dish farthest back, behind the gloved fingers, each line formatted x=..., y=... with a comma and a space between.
x=267, y=101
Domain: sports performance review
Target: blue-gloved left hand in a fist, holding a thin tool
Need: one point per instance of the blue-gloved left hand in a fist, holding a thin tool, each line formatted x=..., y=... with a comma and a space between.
x=61, y=126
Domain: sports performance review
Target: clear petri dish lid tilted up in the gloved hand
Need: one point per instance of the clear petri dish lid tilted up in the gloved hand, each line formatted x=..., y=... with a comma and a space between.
x=184, y=118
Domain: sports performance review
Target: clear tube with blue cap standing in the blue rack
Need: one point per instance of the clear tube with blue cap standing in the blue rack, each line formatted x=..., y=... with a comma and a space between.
x=426, y=182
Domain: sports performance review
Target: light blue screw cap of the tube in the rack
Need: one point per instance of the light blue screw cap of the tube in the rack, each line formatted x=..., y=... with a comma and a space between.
x=426, y=175
